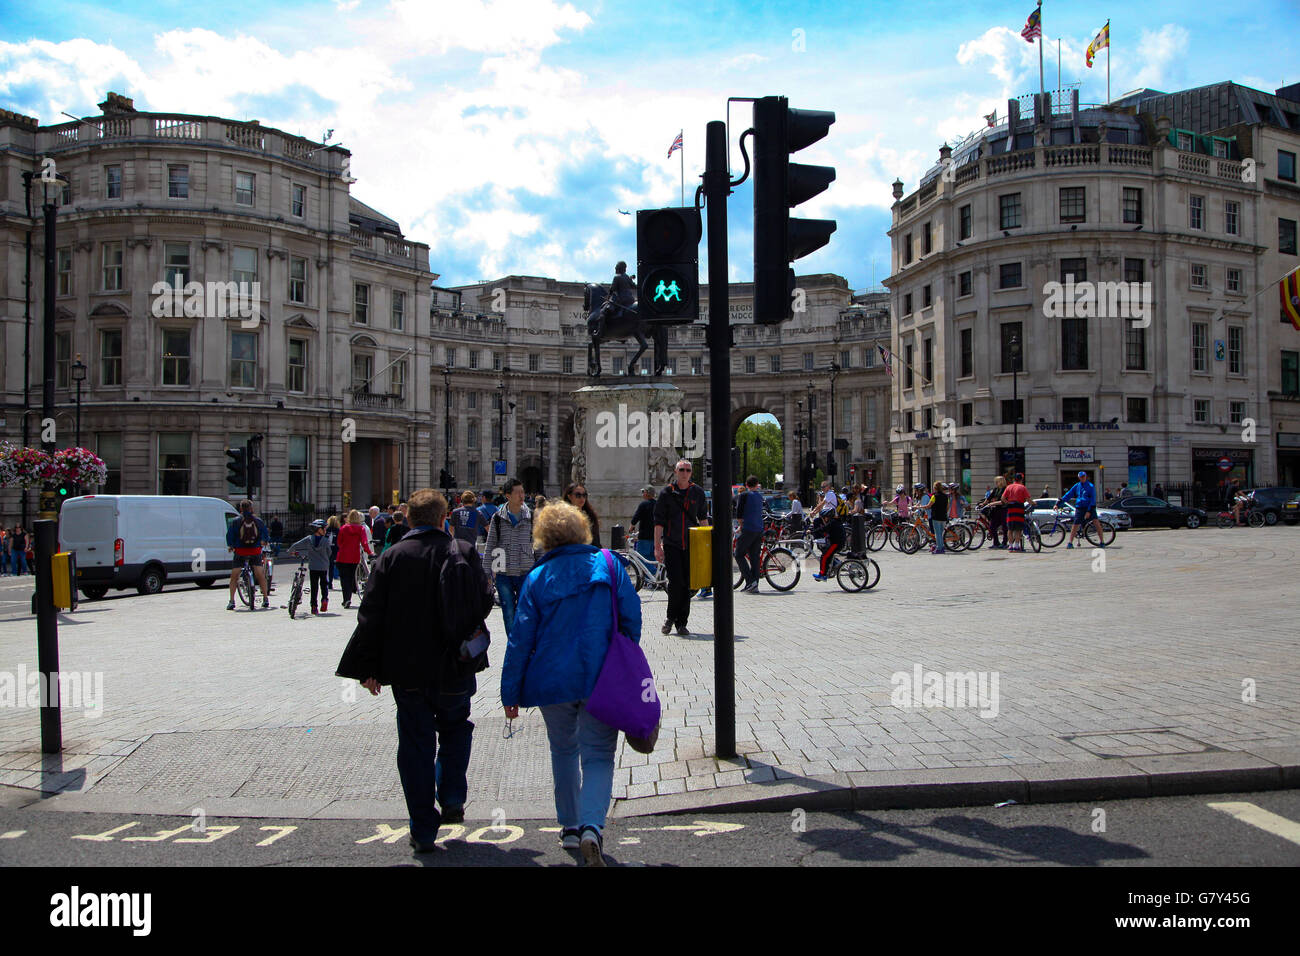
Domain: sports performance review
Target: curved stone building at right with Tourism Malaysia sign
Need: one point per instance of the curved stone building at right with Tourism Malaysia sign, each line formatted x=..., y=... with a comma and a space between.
x=1097, y=289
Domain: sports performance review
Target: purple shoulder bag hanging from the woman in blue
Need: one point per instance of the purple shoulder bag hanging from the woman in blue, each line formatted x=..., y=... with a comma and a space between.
x=625, y=695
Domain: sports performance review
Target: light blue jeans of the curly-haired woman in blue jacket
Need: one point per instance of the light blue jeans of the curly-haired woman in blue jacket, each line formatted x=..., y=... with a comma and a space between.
x=582, y=798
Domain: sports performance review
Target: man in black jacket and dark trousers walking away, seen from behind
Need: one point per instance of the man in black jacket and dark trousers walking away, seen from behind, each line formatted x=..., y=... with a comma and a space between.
x=427, y=596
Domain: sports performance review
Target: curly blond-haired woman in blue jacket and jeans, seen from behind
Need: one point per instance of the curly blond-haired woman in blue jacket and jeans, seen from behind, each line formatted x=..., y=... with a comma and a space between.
x=564, y=626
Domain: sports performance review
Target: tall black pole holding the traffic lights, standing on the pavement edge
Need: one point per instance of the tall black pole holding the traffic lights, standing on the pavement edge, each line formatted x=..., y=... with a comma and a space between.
x=717, y=189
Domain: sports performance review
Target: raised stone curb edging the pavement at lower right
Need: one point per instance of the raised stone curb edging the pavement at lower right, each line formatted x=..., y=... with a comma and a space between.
x=1271, y=768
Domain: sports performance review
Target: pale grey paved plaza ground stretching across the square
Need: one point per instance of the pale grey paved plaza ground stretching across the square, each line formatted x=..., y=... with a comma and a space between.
x=1149, y=648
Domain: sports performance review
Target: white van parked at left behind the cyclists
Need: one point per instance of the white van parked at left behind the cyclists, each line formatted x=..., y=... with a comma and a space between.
x=146, y=542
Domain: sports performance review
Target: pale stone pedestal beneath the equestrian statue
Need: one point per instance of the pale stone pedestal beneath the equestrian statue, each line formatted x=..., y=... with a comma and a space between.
x=627, y=438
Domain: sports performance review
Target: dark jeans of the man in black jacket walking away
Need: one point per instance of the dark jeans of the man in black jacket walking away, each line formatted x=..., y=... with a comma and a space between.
x=435, y=737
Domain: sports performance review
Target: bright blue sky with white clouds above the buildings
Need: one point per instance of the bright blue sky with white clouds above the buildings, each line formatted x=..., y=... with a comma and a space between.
x=508, y=135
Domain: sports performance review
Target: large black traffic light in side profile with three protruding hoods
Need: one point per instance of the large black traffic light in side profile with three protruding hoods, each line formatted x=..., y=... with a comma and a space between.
x=779, y=187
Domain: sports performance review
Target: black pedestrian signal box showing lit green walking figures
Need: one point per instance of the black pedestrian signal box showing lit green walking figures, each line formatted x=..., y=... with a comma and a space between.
x=669, y=265
